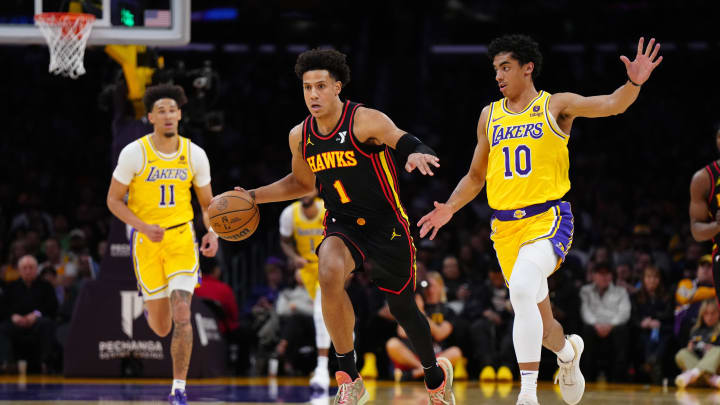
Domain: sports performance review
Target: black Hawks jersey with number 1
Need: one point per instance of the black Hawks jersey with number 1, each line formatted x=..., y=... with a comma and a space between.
x=355, y=180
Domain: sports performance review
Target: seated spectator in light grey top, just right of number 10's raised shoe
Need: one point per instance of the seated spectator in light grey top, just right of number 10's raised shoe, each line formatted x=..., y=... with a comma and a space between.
x=605, y=310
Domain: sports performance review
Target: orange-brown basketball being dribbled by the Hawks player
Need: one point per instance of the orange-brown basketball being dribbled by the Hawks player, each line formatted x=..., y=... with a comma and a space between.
x=234, y=216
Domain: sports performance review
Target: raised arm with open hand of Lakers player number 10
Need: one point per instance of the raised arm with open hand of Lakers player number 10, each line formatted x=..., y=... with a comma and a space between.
x=572, y=105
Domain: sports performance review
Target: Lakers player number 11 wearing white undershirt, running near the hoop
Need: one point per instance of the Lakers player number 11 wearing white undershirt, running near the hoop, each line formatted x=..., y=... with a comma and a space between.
x=156, y=172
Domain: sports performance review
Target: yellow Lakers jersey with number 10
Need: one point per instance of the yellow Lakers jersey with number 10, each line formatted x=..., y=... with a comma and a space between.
x=528, y=162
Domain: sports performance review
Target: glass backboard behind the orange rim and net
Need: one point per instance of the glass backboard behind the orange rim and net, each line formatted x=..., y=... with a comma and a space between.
x=136, y=22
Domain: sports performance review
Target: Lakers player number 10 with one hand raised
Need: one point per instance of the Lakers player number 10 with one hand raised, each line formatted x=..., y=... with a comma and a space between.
x=522, y=154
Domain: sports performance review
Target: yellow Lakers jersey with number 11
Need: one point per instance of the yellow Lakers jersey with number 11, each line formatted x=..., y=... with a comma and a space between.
x=160, y=193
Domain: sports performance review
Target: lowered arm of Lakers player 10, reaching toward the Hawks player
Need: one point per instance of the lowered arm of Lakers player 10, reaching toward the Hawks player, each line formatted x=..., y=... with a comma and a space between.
x=468, y=188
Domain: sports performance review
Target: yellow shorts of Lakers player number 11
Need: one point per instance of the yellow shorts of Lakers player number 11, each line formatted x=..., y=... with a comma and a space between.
x=171, y=264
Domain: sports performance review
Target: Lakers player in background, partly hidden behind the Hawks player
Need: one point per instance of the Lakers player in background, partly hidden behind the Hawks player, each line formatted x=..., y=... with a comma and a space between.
x=301, y=231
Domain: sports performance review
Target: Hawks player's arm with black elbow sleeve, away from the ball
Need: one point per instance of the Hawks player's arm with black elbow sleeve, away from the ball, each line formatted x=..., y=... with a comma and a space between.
x=372, y=126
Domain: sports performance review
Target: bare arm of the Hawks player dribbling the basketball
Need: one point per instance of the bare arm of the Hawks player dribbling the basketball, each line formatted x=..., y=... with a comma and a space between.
x=300, y=182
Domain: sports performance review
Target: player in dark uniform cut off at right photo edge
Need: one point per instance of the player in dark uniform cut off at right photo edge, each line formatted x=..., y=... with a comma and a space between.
x=705, y=209
